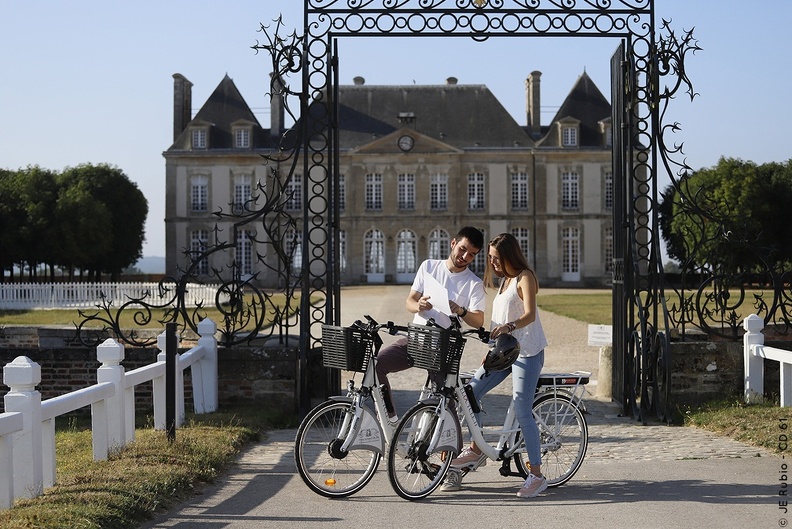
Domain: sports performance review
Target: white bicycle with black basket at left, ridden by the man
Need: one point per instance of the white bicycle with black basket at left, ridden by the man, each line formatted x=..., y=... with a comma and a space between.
x=339, y=443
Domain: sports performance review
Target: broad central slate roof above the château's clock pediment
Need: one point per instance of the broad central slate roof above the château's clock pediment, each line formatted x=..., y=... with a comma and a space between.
x=464, y=116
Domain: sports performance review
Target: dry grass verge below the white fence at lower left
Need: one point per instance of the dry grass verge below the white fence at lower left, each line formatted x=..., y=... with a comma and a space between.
x=141, y=480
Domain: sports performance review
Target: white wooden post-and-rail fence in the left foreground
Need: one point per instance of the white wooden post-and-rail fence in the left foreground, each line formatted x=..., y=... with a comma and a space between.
x=27, y=428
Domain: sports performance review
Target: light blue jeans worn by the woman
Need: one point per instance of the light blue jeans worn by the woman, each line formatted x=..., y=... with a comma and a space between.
x=525, y=375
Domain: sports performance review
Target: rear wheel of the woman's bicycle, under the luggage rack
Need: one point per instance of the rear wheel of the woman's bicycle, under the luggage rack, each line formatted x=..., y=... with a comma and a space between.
x=563, y=434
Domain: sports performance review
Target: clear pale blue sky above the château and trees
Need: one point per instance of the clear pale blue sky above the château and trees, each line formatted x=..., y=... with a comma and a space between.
x=91, y=81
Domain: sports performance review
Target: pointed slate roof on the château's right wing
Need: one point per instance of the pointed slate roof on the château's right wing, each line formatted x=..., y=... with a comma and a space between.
x=585, y=103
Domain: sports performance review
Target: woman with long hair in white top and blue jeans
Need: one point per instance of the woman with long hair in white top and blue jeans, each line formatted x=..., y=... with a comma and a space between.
x=513, y=311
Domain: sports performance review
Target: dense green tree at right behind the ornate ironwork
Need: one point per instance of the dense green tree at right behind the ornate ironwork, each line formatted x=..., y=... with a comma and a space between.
x=732, y=217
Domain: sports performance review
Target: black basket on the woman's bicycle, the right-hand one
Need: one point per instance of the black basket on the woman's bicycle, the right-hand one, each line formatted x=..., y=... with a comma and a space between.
x=434, y=348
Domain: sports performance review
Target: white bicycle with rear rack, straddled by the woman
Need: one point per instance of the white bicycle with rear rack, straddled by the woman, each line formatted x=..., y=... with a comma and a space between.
x=429, y=435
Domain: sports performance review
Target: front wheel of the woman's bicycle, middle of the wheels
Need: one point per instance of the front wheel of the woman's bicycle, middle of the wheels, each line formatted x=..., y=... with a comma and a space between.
x=413, y=472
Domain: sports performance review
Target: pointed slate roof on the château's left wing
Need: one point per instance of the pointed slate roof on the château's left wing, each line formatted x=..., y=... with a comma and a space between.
x=224, y=108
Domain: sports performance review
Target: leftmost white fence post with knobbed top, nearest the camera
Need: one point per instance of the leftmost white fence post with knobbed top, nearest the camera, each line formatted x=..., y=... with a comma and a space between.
x=22, y=375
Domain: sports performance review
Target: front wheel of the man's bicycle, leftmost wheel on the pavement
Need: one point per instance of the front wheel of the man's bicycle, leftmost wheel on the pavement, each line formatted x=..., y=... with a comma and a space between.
x=323, y=466
